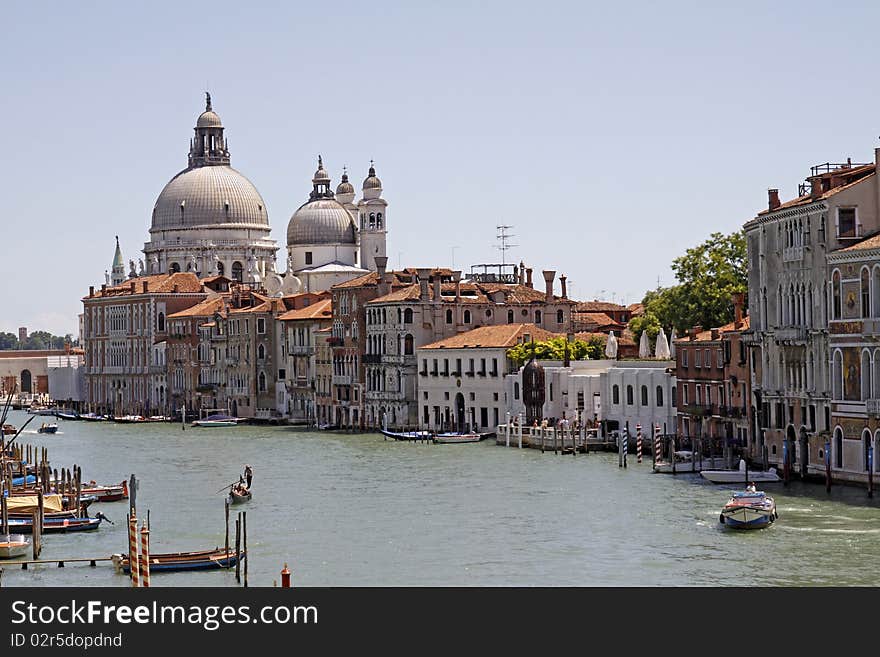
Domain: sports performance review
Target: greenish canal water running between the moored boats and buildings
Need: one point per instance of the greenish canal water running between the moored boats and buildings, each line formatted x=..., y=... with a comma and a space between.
x=359, y=510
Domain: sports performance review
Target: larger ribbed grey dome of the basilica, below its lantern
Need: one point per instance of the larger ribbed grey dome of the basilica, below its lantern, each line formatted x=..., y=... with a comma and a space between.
x=209, y=196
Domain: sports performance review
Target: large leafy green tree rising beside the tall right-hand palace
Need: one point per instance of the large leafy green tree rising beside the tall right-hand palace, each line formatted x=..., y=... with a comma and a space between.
x=708, y=275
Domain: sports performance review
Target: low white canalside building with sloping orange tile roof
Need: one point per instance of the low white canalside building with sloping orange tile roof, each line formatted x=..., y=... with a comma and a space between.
x=461, y=378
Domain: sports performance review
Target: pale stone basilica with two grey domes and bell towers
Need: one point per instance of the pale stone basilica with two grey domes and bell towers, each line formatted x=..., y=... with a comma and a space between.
x=211, y=220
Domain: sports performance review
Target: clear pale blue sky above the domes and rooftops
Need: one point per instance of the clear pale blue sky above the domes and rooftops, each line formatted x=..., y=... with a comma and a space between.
x=610, y=137
